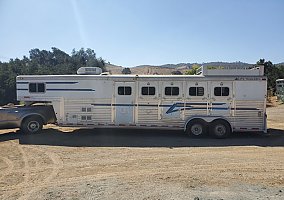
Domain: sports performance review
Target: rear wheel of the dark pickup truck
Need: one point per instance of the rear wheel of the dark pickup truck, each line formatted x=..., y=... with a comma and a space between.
x=32, y=125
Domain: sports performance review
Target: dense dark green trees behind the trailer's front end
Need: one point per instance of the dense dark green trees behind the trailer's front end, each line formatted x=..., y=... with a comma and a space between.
x=39, y=61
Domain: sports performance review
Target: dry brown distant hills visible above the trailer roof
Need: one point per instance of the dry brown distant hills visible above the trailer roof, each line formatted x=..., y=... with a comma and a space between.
x=169, y=68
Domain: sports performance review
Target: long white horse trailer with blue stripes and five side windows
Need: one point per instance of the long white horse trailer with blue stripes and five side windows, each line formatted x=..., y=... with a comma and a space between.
x=217, y=100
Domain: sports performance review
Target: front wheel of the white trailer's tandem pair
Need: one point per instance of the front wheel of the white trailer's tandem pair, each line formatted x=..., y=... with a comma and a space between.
x=196, y=128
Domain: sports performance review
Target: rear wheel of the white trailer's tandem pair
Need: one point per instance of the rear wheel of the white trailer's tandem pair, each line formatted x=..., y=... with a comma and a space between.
x=220, y=129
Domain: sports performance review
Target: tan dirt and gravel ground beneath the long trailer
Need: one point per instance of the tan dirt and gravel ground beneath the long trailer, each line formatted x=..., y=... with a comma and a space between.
x=66, y=163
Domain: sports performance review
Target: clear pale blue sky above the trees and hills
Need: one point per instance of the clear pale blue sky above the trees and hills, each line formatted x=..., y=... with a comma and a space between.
x=136, y=32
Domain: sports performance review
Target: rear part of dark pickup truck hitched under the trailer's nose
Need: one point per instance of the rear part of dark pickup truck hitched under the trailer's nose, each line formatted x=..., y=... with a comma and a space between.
x=29, y=119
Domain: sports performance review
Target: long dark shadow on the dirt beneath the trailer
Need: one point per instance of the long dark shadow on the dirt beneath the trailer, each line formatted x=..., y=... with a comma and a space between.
x=141, y=138
